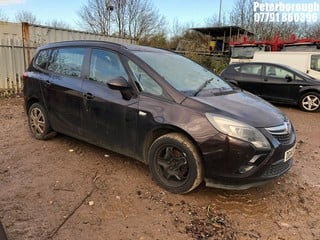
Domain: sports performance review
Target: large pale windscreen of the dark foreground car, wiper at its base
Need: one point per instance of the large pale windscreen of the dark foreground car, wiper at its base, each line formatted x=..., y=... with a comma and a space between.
x=182, y=73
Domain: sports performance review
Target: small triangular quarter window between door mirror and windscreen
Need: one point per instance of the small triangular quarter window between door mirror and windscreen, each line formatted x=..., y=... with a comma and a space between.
x=144, y=82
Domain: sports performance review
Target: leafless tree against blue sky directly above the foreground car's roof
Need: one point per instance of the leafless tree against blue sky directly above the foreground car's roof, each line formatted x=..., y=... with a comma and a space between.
x=126, y=18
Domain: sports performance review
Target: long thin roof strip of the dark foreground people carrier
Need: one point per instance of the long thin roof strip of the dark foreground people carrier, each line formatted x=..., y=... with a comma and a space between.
x=98, y=43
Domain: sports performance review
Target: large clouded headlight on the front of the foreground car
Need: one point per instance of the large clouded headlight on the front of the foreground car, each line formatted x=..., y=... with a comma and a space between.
x=239, y=130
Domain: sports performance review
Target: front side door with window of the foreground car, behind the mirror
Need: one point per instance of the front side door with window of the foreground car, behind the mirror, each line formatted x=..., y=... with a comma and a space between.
x=108, y=120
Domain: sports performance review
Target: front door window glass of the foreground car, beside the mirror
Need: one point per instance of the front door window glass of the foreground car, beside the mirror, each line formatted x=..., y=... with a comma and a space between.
x=105, y=65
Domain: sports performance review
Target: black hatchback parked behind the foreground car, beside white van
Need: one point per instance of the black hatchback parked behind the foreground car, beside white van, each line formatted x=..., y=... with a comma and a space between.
x=276, y=83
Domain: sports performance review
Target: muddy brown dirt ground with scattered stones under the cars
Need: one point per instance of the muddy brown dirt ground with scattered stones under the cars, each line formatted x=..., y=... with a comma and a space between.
x=66, y=189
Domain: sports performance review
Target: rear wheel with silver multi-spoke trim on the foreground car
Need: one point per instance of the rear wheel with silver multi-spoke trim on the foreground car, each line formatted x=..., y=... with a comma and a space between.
x=39, y=123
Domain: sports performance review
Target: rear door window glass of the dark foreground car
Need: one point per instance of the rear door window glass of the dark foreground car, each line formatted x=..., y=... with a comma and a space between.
x=67, y=61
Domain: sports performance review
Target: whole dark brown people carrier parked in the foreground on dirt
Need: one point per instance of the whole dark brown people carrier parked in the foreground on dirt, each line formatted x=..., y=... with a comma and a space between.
x=163, y=109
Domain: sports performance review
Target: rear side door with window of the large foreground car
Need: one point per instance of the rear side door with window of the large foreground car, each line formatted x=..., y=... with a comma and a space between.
x=62, y=89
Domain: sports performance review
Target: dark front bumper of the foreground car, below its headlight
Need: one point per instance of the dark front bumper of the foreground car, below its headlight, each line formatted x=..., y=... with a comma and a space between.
x=234, y=164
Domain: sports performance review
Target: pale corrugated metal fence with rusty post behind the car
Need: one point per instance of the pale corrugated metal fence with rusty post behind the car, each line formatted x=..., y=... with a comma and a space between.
x=18, y=42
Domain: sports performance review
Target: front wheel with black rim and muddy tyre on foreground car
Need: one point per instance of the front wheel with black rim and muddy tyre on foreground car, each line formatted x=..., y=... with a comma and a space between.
x=175, y=163
